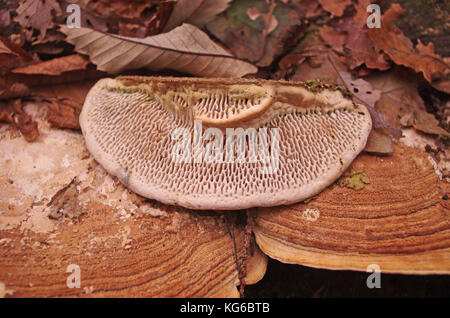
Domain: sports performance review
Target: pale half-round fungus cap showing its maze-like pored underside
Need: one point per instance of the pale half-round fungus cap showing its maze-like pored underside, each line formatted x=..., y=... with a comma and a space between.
x=128, y=123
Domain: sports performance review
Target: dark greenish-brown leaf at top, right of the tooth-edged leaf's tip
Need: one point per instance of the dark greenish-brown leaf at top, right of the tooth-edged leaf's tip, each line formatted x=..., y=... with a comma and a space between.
x=250, y=39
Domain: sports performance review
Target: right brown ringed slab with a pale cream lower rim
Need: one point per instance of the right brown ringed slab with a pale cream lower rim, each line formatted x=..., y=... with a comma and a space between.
x=399, y=221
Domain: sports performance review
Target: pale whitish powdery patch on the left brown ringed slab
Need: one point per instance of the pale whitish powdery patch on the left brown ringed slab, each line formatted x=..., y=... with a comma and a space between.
x=35, y=173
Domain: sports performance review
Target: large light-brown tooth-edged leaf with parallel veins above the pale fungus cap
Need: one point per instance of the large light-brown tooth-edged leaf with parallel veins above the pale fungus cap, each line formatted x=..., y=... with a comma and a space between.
x=185, y=49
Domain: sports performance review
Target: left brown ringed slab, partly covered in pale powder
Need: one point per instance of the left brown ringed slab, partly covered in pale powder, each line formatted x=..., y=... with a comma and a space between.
x=60, y=210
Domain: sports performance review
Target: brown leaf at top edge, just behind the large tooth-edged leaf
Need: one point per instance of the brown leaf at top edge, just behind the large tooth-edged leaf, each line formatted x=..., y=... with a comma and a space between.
x=196, y=12
